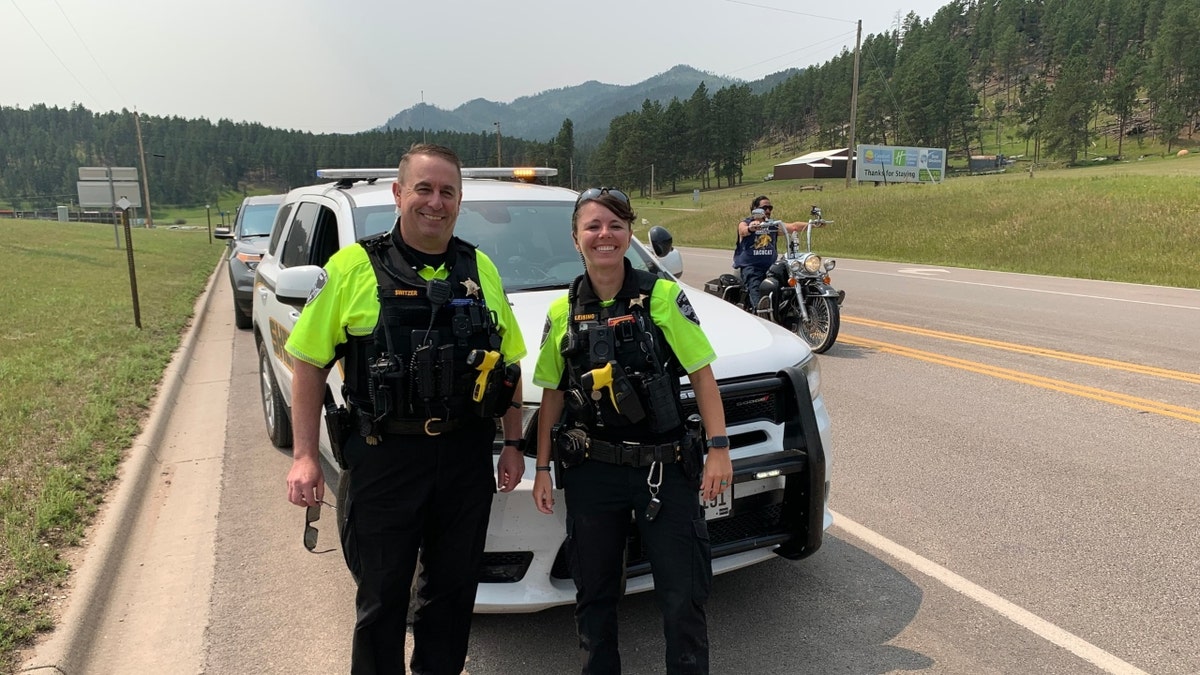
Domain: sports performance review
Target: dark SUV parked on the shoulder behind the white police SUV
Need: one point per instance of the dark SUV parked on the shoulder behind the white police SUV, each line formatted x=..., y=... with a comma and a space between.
x=248, y=243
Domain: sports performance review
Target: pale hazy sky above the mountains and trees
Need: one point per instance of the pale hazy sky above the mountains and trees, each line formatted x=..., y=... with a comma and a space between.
x=347, y=67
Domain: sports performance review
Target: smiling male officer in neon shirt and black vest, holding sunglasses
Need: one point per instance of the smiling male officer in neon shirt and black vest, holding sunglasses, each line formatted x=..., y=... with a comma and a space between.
x=429, y=343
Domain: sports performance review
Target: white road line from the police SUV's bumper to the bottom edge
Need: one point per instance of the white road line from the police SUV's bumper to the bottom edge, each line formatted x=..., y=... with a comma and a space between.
x=1016, y=614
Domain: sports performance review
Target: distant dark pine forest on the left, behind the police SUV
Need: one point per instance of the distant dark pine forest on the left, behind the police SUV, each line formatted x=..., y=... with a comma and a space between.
x=195, y=162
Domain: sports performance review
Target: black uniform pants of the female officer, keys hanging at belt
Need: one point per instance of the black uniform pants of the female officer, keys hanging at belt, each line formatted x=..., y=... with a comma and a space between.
x=599, y=500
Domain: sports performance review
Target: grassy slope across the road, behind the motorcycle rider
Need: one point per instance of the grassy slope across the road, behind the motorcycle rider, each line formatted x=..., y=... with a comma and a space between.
x=1135, y=222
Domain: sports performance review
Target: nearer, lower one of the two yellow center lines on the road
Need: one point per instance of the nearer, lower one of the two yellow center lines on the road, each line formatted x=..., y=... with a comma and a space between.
x=1144, y=405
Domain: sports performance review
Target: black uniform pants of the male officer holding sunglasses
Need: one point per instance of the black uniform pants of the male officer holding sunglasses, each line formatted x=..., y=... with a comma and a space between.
x=431, y=494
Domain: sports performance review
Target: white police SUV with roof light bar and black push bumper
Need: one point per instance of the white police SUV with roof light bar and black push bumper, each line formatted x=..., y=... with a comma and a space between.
x=770, y=380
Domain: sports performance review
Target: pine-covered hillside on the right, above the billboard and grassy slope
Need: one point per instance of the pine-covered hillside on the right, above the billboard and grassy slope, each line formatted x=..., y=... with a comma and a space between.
x=1057, y=73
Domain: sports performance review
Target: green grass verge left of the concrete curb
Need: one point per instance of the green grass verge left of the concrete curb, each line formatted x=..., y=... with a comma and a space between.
x=79, y=377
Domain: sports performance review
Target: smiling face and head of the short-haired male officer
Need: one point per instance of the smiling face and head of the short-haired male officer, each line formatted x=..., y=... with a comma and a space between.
x=429, y=194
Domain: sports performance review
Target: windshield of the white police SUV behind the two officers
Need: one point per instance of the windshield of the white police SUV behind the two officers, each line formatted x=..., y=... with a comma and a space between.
x=530, y=242
